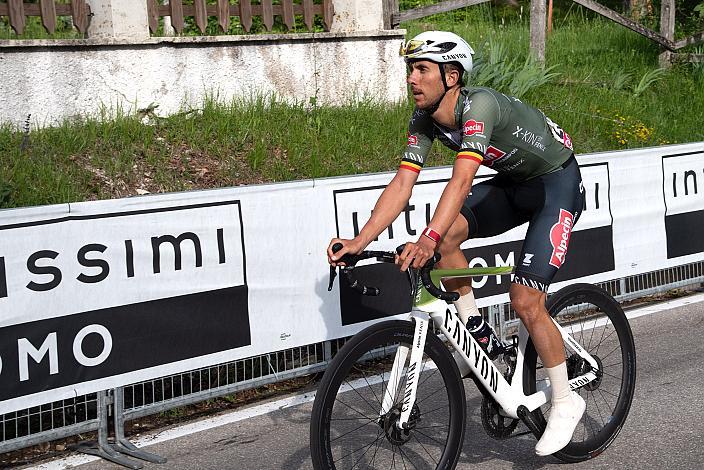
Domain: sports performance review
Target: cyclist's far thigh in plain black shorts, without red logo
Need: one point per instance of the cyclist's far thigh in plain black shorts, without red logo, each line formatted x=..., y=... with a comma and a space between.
x=489, y=210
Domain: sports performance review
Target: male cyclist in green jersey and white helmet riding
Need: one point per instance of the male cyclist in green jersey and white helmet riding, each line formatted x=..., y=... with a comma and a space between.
x=537, y=181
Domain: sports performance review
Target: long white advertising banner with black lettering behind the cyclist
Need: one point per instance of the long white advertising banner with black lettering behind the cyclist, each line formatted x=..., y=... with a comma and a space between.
x=96, y=295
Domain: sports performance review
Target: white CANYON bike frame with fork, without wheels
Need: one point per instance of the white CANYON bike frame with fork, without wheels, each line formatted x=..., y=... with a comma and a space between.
x=509, y=396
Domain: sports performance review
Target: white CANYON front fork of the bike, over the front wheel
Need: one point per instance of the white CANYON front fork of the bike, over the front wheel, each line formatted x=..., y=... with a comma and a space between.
x=412, y=372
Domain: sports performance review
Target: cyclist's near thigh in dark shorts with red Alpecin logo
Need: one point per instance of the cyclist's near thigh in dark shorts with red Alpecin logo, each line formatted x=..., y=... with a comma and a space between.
x=547, y=238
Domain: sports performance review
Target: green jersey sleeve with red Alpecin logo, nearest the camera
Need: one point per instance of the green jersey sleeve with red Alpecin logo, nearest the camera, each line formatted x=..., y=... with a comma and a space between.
x=481, y=113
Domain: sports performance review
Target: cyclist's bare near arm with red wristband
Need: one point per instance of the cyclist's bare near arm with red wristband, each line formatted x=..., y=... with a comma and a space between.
x=448, y=209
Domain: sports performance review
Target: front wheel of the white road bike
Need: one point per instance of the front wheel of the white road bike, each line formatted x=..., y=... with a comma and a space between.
x=338, y=414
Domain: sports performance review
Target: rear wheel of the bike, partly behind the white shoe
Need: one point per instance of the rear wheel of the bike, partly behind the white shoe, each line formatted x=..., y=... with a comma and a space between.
x=577, y=305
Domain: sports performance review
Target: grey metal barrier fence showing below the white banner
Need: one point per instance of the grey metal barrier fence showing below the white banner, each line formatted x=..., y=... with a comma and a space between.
x=89, y=413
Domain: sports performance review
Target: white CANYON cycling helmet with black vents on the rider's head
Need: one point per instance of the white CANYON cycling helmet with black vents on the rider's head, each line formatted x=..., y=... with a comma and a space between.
x=441, y=47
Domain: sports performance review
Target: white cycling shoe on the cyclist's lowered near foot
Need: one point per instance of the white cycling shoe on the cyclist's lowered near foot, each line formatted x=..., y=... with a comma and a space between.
x=562, y=422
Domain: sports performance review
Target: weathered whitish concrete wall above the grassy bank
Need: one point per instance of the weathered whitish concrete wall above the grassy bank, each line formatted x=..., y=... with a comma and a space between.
x=55, y=80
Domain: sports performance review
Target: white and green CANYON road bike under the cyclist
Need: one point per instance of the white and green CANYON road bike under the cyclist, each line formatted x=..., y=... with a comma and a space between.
x=393, y=396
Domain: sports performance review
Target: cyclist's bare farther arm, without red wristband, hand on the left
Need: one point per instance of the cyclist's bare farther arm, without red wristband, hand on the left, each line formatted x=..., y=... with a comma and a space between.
x=390, y=204
